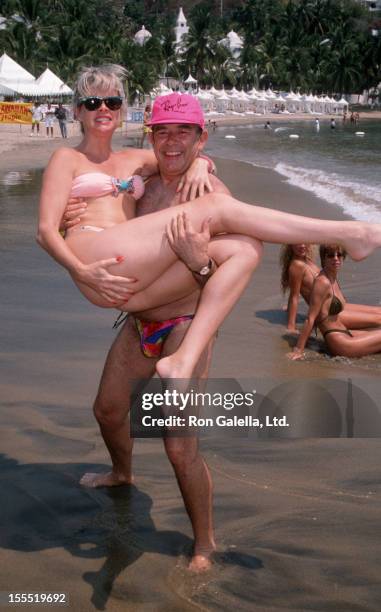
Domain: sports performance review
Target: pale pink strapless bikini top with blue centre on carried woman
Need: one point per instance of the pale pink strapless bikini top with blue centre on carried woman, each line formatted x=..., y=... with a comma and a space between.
x=96, y=184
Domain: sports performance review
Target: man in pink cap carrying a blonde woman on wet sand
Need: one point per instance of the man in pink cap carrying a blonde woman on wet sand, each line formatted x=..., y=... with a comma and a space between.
x=130, y=358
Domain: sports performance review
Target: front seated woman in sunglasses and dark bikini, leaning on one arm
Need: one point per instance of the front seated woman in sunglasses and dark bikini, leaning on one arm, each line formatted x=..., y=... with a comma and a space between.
x=326, y=308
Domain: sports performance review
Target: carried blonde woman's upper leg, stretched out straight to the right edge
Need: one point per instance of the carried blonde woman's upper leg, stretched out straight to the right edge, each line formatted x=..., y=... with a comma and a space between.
x=147, y=253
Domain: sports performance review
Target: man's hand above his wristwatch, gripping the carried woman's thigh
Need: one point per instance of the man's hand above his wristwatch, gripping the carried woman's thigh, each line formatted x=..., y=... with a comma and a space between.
x=190, y=246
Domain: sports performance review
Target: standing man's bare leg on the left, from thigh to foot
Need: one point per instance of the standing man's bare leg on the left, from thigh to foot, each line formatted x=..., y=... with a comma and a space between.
x=125, y=362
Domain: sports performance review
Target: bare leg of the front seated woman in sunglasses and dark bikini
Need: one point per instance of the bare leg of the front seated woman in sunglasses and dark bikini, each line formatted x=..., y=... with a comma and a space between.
x=363, y=343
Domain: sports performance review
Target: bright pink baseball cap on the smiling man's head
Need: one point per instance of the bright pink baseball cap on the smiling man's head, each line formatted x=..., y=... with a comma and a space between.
x=177, y=108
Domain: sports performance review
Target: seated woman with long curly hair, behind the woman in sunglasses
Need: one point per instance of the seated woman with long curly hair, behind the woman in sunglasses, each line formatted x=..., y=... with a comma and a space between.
x=299, y=271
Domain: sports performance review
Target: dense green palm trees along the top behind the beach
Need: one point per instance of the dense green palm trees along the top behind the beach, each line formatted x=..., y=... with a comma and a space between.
x=317, y=45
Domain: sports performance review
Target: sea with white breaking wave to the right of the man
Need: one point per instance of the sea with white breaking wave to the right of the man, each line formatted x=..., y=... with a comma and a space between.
x=337, y=165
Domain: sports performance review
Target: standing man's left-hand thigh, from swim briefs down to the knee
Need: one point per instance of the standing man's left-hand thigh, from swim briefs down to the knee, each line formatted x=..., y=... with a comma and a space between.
x=125, y=366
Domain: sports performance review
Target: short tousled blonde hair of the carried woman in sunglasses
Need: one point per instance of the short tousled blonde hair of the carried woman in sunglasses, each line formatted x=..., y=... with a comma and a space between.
x=100, y=79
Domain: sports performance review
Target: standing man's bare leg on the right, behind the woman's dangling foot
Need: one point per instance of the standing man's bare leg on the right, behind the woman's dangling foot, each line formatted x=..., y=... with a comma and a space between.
x=191, y=471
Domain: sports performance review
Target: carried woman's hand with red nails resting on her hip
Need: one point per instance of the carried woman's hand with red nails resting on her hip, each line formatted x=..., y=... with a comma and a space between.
x=114, y=289
